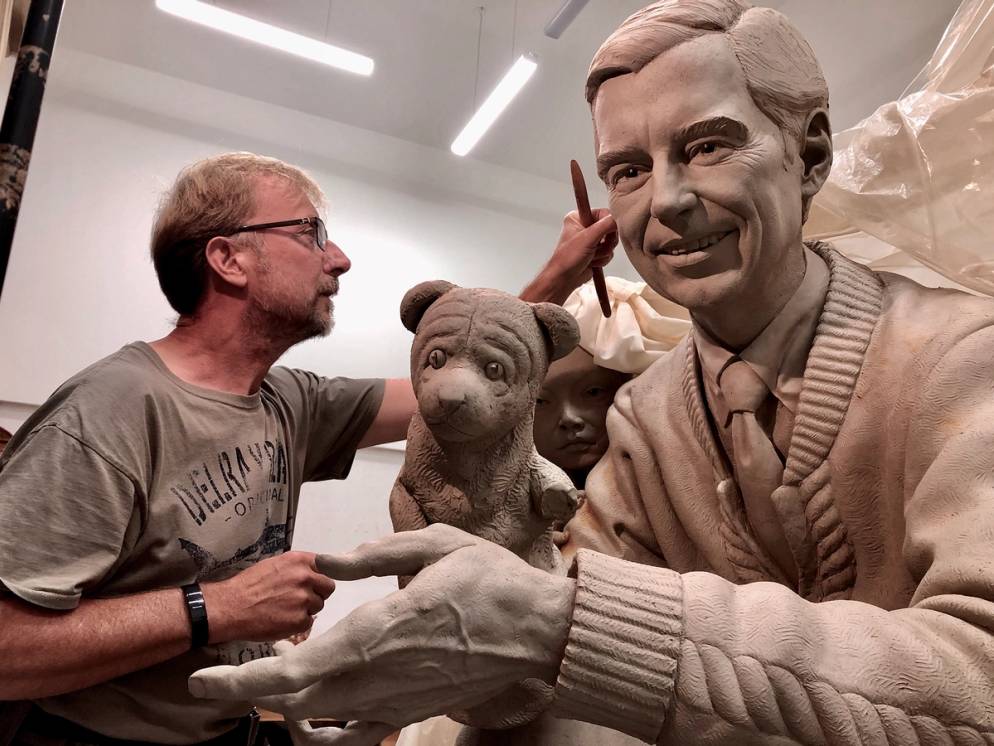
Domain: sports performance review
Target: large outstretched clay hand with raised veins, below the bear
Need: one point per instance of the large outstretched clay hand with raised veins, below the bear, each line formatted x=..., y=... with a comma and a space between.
x=475, y=620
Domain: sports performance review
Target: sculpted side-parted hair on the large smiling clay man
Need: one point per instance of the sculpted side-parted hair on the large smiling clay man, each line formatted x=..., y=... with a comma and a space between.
x=781, y=71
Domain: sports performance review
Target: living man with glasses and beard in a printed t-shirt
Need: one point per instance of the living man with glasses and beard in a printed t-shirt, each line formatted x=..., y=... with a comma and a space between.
x=181, y=461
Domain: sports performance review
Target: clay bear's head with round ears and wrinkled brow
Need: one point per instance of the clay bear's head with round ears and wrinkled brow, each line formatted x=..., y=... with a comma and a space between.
x=479, y=357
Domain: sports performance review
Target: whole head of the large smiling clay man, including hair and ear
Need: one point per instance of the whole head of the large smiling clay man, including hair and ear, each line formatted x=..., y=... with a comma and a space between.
x=712, y=136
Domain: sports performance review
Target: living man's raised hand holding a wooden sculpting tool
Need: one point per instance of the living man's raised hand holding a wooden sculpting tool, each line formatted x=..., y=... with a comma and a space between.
x=579, y=249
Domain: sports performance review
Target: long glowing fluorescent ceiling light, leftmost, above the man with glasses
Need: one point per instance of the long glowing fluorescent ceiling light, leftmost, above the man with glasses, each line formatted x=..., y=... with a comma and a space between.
x=264, y=33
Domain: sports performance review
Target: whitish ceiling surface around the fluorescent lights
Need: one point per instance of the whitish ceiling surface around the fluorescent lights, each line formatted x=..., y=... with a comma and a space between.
x=426, y=61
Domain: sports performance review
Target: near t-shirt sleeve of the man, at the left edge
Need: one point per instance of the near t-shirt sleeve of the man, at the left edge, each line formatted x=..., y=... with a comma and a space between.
x=66, y=513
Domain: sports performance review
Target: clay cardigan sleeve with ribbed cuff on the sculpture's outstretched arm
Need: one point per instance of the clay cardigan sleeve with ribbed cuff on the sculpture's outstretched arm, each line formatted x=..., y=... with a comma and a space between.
x=693, y=659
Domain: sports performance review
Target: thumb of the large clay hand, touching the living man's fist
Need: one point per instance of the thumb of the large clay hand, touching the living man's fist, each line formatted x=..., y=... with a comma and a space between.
x=404, y=553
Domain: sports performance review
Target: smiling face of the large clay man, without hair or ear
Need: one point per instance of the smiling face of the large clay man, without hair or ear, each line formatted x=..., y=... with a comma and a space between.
x=707, y=203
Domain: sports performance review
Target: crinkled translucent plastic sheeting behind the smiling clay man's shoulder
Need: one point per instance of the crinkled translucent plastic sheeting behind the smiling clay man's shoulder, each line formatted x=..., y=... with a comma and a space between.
x=914, y=182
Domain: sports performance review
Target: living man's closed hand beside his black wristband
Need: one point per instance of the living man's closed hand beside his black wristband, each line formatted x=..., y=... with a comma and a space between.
x=273, y=599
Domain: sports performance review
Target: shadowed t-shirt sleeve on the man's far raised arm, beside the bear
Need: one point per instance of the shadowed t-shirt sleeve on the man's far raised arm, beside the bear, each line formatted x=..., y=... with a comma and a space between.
x=334, y=415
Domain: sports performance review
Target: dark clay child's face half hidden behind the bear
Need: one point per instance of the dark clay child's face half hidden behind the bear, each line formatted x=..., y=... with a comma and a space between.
x=571, y=410
